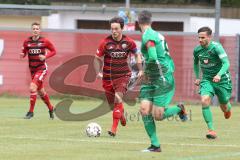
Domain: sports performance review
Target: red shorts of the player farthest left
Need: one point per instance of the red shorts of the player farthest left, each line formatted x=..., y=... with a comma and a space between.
x=38, y=78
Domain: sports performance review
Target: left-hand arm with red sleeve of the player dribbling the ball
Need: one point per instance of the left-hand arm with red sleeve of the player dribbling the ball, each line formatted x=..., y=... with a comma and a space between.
x=98, y=61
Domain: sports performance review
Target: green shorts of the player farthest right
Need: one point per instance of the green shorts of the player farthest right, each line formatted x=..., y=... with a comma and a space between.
x=222, y=89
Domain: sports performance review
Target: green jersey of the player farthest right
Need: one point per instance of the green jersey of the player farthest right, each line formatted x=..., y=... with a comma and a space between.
x=212, y=60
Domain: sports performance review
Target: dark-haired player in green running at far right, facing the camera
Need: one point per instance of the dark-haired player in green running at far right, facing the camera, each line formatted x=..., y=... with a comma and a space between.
x=213, y=61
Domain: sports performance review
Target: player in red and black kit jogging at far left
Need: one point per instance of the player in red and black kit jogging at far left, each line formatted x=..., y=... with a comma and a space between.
x=38, y=49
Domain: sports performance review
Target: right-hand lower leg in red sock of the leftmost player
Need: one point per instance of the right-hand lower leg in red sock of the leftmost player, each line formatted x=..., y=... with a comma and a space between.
x=45, y=98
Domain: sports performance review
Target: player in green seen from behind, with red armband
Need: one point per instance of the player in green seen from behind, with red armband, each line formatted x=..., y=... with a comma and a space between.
x=158, y=85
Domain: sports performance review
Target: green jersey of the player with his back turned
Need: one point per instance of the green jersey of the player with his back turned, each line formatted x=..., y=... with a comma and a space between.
x=161, y=54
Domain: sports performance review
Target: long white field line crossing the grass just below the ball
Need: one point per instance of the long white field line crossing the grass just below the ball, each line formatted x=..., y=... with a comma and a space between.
x=99, y=140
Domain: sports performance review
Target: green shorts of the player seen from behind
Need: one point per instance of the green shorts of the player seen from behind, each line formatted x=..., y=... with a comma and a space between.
x=160, y=93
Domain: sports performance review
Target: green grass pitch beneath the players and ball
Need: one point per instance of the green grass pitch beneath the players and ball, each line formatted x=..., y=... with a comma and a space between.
x=44, y=139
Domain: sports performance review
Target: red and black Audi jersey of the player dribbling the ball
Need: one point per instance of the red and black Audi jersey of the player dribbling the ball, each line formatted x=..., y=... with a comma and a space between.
x=116, y=55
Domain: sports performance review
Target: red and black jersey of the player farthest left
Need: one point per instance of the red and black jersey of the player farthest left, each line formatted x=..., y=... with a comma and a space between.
x=34, y=48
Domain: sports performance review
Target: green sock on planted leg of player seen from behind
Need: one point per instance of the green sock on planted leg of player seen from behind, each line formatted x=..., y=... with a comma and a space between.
x=150, y=127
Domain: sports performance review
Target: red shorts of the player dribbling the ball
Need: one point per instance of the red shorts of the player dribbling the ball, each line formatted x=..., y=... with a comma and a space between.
x=116, y=85
